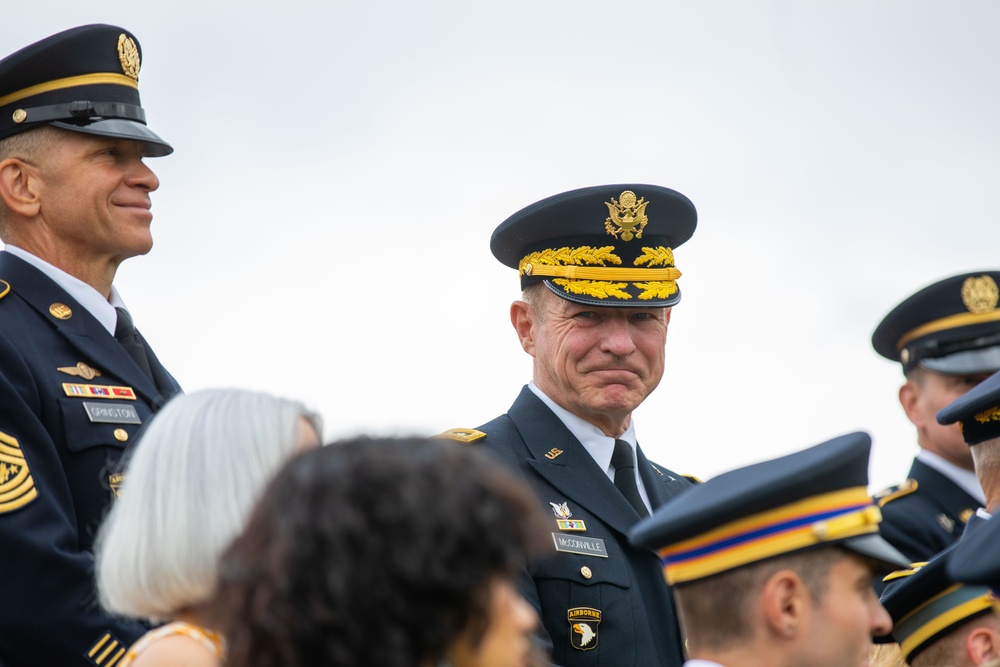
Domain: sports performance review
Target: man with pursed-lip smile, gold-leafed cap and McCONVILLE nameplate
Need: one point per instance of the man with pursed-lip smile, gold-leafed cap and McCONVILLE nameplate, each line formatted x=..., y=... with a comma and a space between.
x=598, y=280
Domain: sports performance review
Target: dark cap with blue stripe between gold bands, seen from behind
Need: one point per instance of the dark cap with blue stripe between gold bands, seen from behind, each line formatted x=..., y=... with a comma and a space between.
x=818, y=496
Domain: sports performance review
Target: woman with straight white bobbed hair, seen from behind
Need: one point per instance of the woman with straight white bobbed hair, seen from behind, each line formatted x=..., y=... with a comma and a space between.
x=189, y=486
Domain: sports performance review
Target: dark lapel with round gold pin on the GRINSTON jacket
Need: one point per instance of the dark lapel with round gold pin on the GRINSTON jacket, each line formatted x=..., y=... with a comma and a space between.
x=80, y=329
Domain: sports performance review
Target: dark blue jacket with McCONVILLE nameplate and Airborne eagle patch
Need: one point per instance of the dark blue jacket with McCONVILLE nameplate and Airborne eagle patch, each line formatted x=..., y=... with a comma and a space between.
x=636, y=623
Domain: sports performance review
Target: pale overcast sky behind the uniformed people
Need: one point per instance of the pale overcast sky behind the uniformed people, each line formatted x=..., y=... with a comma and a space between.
x=322, y=231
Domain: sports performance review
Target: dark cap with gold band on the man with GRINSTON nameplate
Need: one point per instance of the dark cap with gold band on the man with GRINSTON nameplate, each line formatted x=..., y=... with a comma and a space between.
x=85, y=79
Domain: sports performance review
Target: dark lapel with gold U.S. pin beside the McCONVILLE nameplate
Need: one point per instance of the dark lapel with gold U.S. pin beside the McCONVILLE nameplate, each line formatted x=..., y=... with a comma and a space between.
x=572, y=471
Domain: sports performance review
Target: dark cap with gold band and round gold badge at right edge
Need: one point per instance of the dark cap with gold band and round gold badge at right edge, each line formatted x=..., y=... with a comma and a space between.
x=951, y=327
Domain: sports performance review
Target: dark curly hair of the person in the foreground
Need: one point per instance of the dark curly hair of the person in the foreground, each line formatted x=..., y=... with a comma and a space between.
x=373, y=552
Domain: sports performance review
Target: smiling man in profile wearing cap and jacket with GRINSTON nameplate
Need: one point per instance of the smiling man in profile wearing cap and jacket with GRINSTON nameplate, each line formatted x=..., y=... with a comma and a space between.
x=77, y=380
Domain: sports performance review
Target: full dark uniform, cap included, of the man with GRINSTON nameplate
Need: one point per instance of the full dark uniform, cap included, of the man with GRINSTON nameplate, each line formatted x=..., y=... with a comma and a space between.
x=71, y=396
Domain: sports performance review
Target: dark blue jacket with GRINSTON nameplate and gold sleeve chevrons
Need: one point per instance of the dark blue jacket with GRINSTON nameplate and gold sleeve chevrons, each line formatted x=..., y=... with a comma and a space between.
x=57, y=468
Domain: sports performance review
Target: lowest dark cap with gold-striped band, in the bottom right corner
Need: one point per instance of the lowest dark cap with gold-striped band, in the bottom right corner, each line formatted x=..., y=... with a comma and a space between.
x=926, y=603
